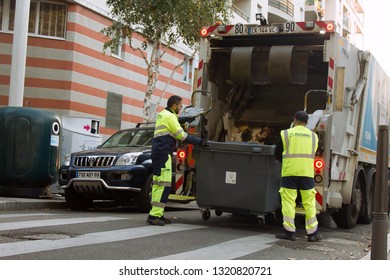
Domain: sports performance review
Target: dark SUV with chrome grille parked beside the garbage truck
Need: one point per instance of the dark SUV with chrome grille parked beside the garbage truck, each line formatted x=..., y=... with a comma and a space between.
x=120, y=170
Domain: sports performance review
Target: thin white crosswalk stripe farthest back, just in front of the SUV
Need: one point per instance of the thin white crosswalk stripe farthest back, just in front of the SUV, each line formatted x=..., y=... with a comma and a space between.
x=54, y=222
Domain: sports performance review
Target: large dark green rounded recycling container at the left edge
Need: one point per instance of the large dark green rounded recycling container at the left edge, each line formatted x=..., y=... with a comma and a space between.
x=30, y=149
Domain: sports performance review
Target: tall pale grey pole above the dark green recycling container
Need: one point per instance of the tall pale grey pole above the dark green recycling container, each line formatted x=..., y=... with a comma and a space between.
x=19, y=50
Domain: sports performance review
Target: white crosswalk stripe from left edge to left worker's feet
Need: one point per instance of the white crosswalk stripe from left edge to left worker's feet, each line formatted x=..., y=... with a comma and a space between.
x=25, y=247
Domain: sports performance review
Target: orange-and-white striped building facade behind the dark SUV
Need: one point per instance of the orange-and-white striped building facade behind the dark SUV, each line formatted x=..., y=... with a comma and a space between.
x=68, y=73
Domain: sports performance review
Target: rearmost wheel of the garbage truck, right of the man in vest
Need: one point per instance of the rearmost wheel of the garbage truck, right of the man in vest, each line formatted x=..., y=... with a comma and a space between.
x=348, y=215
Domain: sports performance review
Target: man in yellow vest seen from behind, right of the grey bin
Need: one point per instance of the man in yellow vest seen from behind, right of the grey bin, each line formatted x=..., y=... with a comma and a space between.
x=296, y=150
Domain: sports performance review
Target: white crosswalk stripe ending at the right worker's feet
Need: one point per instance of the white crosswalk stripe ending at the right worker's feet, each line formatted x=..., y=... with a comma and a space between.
x=226, y=250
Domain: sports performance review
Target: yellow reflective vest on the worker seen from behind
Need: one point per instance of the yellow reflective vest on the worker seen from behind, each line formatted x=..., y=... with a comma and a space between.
x=299, y=147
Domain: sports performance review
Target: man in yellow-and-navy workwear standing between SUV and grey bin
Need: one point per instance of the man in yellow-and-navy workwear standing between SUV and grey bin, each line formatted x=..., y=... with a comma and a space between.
x=167, y=131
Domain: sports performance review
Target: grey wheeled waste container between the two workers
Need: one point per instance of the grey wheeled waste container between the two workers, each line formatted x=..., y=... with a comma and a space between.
x=239, y=178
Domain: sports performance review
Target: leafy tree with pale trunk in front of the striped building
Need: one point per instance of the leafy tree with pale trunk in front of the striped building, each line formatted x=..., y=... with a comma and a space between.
x=163, y=23
